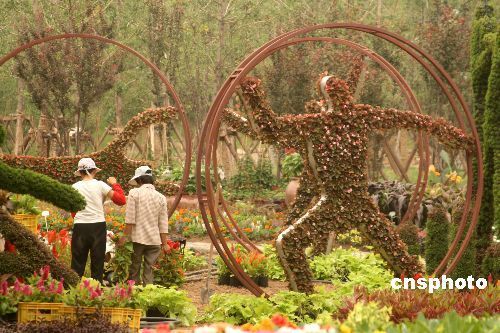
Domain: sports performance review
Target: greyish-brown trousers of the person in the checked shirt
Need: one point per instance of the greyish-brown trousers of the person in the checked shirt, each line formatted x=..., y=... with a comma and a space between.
x=150, y=254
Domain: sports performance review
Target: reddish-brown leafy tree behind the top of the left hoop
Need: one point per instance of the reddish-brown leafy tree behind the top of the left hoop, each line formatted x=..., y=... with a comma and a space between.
x=65, y=78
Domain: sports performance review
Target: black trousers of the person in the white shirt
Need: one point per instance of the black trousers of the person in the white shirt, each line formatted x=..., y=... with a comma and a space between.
x=89, y=237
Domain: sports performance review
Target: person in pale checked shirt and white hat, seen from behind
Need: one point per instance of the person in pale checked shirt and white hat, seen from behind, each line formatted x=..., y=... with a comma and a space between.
x=146, y=220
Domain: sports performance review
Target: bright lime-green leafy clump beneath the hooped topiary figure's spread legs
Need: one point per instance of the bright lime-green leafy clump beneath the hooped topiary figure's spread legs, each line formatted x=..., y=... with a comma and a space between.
x=348, y=268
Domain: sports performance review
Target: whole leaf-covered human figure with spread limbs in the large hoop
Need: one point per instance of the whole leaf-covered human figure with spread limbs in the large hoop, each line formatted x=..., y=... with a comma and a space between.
x=333, y=144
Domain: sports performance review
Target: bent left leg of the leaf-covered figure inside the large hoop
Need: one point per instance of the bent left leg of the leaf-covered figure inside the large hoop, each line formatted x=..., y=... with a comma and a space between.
x=292, y=242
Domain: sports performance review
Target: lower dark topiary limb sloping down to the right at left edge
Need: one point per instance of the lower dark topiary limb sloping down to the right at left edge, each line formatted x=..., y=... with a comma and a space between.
x=33, y=254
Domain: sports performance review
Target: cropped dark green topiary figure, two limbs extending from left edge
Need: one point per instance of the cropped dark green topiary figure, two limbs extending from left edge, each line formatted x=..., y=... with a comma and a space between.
x=31, y=254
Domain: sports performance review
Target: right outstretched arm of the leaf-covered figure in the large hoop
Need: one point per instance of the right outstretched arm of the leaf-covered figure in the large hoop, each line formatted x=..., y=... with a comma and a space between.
x=445, y=132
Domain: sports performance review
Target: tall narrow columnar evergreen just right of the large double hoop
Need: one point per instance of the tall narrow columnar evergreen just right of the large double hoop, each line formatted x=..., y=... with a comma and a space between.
x=484, y=26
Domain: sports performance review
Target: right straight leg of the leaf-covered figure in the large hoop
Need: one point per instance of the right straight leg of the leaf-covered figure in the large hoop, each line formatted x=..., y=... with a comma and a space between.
x=380, y=233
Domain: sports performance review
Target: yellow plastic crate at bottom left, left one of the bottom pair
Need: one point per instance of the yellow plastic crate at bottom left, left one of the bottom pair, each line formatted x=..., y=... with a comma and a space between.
x=33, y=311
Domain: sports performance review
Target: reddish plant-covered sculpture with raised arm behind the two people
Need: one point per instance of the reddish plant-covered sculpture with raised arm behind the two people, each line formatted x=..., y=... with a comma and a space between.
x=112, y=159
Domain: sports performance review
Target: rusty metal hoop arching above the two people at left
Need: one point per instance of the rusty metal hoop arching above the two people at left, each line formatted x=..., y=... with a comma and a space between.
x=153, y=67
